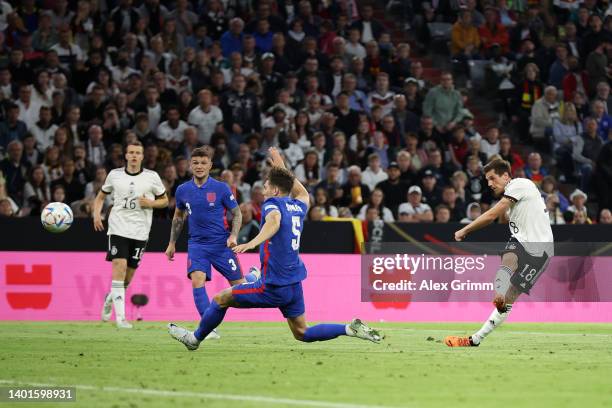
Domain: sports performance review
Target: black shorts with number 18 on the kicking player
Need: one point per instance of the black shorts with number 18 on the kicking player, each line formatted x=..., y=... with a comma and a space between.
x=530, y=267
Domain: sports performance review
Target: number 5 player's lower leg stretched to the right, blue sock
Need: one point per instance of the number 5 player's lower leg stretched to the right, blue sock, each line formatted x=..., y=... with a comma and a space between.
x=324, y=332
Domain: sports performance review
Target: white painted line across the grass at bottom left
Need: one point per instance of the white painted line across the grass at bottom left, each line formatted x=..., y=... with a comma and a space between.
x=209, y=395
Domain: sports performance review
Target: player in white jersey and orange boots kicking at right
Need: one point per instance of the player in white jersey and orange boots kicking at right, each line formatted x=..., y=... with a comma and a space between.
x=527, y=252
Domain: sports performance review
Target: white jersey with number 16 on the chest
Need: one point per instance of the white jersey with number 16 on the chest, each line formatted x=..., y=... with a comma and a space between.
x=127, y=219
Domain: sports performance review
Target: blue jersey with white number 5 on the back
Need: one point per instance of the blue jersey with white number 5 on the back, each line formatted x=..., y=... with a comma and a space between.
x=280, y=259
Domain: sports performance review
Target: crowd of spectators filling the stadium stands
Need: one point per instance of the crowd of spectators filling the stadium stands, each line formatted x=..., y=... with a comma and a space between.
x=353, y=112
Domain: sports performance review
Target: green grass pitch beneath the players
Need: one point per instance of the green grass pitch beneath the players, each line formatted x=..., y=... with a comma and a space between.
x=260, y=365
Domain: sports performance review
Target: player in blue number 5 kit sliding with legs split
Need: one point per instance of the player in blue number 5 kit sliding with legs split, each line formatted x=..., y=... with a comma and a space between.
x=280, y=285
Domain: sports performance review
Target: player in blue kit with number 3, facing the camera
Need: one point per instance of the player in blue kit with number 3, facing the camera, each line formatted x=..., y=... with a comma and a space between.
x=205, y=201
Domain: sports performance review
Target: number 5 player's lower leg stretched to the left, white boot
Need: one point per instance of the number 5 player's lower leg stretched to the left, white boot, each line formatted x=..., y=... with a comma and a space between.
x=212, y=318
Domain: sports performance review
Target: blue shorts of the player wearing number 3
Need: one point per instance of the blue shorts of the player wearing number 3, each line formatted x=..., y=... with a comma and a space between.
x=201, y=257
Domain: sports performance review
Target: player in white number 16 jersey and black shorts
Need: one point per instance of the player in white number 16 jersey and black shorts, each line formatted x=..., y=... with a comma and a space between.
x=136, y=192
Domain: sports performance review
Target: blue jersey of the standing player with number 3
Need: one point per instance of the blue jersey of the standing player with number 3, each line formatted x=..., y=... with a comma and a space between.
x=206, y=207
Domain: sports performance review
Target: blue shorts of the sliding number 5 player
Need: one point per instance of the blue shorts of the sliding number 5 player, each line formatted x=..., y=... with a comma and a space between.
x=288, y=299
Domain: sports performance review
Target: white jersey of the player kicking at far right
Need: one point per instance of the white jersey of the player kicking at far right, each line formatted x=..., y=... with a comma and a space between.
x=528, y=218
